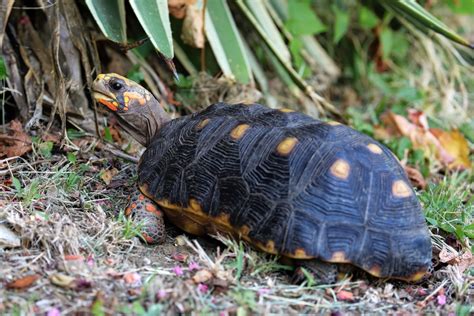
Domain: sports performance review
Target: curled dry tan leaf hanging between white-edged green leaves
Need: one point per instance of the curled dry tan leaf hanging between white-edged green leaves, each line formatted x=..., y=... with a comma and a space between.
x=192, y=31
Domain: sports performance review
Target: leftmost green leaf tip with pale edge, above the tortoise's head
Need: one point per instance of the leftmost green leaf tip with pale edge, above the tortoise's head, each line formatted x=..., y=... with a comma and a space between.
x=110, y=16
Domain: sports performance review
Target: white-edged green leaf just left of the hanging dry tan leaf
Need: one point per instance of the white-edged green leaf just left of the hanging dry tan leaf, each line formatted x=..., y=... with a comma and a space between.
x=154, y=18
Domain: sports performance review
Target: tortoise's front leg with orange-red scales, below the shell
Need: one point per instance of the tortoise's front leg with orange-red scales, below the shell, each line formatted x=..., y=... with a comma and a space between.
x=148, y=216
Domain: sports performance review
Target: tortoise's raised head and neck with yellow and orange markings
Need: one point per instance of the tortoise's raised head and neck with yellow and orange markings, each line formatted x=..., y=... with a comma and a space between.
x=137, y=110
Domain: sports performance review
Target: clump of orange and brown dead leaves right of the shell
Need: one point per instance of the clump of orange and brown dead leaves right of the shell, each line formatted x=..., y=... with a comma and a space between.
x=450, y=148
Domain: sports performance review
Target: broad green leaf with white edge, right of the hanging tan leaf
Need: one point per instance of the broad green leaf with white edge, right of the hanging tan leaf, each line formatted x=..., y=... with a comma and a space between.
x=226, y=42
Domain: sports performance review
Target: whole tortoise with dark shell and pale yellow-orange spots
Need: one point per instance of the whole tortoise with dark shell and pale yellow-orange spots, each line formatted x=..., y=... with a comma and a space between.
x=318, y=192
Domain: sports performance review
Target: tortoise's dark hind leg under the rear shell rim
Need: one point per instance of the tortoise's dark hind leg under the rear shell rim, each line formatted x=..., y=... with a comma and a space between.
x=322, y=272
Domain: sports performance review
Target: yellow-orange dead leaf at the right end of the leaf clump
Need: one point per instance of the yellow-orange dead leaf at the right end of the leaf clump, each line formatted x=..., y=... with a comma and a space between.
x=456, y=145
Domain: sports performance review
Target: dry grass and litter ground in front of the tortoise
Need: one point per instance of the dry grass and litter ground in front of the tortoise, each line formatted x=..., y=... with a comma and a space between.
x=87, y=258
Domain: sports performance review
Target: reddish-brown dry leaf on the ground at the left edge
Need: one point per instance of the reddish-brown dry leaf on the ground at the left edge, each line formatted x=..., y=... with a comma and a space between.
x=16, y=142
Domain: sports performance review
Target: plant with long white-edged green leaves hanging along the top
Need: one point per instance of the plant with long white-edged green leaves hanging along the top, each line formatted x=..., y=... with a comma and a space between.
x=287, y=29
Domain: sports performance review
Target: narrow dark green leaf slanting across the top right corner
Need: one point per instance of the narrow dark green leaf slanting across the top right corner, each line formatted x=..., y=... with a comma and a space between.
x=413, y=11
